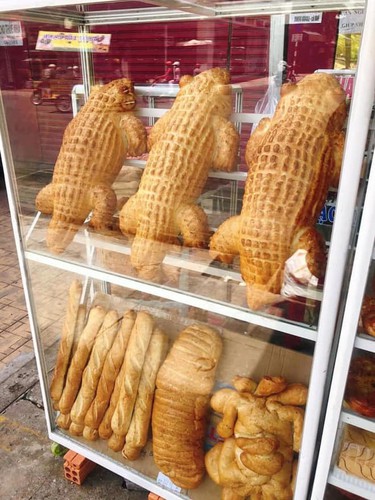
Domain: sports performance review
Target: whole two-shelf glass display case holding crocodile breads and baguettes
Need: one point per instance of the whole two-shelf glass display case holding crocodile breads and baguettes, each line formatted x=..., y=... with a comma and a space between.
x=190, y=168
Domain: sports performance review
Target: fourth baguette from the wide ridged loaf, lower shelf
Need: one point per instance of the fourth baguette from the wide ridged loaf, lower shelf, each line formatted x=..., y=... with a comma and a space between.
x=91, y=374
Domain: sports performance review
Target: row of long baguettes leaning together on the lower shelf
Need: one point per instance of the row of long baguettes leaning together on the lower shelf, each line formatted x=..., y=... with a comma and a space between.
x=104, y=379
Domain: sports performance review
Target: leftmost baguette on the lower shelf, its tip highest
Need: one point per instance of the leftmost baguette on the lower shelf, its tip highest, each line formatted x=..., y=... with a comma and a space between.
x=66, y=342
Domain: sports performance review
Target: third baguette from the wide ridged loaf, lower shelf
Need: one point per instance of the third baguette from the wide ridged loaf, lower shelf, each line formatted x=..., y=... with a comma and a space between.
x=110, y=371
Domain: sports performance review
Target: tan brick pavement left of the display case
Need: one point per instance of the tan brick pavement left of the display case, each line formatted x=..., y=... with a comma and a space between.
x=15, y=337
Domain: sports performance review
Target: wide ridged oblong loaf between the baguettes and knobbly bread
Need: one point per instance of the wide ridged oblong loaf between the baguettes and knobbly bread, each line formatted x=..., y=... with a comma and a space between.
x=184, y=383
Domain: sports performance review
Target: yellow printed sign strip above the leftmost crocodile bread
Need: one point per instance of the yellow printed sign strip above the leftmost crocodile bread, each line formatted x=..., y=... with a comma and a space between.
x=55, y=40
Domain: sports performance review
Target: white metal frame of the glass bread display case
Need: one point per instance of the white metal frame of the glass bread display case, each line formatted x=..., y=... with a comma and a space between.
x=340, y=246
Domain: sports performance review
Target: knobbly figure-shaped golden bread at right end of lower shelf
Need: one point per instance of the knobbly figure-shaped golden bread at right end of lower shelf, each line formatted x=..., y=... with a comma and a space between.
x=261, y=434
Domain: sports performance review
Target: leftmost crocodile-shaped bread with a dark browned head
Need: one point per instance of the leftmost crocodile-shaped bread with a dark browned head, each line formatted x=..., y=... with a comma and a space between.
x=94, y=146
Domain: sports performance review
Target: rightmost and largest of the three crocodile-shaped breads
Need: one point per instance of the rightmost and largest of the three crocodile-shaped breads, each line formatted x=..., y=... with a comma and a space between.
x=293, y=159
